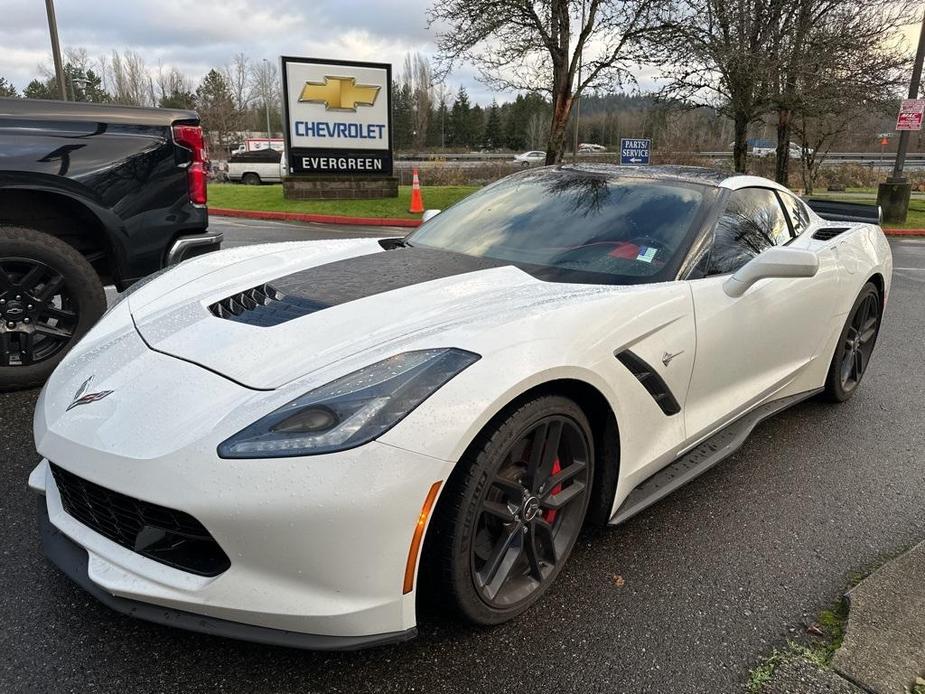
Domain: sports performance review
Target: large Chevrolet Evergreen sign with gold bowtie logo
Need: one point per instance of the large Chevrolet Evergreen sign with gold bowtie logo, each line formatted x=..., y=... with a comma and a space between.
x=338, y=117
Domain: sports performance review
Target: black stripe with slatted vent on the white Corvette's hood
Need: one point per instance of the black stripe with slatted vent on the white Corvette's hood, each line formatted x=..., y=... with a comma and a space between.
x=342, y=281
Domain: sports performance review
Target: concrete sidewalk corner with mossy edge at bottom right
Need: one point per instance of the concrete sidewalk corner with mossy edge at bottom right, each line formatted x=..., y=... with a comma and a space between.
x=883, y=651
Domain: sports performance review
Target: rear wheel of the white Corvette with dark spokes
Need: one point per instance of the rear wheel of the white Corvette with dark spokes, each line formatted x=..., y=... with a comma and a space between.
x=855, y=346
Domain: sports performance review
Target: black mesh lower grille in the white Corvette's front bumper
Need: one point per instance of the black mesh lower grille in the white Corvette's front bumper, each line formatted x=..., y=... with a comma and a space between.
x=165, y=535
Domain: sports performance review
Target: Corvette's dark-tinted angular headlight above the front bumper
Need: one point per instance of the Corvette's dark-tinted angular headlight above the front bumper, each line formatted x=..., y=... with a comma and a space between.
x=350, y=411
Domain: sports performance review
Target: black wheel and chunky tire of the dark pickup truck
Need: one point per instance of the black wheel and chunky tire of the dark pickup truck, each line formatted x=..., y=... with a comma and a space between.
x=50, y=297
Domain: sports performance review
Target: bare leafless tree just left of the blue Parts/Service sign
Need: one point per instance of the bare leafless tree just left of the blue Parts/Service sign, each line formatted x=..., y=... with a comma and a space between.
x=538, y=45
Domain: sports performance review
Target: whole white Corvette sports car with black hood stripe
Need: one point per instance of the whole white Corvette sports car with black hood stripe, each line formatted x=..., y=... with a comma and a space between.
x=286, y=442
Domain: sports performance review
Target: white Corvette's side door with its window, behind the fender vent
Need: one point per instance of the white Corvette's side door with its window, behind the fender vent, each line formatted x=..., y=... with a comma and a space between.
x=752, y=346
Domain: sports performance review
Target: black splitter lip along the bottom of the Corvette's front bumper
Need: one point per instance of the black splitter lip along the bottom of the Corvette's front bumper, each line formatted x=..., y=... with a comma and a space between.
x=73, y=560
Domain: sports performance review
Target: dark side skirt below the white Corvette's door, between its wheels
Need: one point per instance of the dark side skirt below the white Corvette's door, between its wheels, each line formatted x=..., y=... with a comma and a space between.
x=701, y=458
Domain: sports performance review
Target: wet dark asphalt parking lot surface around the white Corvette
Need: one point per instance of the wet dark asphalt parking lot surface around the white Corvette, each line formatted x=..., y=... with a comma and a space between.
x=685, y=597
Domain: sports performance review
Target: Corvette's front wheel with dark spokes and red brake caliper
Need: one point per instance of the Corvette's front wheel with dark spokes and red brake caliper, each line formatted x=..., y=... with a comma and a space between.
x=501, y=534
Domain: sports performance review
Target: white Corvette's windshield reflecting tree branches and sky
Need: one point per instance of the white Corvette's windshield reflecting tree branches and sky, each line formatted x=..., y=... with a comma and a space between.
x=574, y=226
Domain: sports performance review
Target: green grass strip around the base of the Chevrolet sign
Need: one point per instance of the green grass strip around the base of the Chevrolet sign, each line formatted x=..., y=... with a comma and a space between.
x=270, y=199
